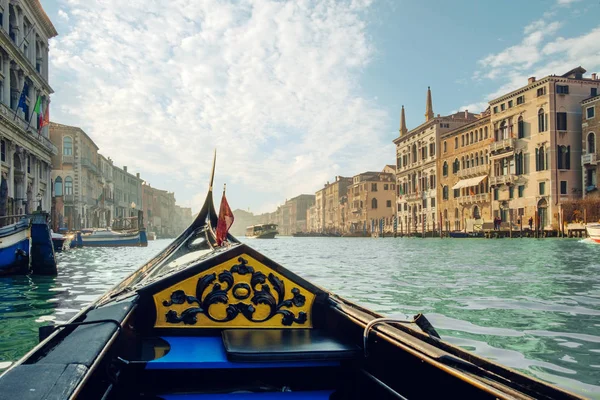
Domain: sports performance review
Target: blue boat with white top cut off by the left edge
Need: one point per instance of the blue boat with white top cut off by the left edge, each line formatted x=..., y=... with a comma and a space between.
x=14, y=248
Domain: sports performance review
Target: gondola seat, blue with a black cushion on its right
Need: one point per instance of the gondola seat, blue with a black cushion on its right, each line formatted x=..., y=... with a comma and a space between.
x=248, y=348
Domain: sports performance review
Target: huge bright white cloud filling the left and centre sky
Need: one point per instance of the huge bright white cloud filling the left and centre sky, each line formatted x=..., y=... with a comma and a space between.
x=271, y=84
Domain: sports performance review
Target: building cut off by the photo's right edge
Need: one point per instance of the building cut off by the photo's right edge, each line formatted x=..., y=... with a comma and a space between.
x=591, y=150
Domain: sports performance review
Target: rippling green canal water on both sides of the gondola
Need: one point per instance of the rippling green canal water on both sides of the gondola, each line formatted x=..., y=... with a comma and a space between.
x=530, y=304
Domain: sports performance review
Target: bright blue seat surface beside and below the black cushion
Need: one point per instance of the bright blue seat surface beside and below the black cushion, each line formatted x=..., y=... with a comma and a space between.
x=208, y=352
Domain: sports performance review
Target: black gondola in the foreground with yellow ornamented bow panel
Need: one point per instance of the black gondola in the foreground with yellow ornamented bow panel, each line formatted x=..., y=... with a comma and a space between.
x=200, y=321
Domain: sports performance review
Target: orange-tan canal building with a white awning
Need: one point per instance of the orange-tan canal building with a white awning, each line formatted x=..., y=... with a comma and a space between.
x=463, y=170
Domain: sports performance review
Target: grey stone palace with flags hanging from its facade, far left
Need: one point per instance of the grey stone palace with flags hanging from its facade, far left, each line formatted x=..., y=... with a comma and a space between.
x=26, y=150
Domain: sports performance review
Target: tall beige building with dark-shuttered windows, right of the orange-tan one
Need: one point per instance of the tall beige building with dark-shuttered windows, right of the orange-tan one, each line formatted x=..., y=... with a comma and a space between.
x=536, y=152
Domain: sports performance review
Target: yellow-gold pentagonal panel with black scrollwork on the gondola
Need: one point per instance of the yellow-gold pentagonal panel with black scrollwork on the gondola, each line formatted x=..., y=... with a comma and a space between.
x=239, y=293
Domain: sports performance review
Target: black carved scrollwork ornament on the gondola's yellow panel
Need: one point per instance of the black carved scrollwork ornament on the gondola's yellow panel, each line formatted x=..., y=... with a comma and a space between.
x=212, y=289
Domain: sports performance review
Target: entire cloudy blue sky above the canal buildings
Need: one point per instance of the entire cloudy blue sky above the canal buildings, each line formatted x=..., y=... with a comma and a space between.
x=291, y=93
